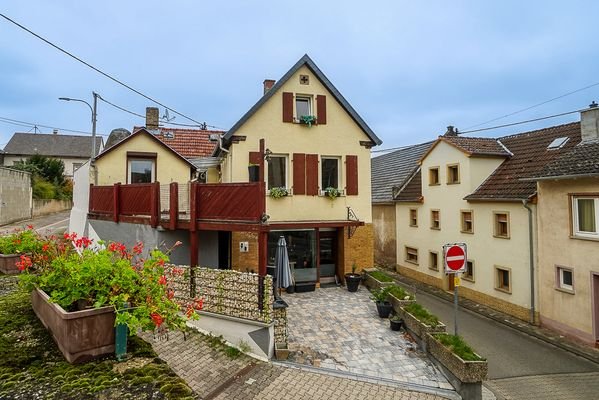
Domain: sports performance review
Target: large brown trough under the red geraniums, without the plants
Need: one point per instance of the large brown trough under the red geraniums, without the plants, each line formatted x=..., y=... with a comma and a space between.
x=80, y=335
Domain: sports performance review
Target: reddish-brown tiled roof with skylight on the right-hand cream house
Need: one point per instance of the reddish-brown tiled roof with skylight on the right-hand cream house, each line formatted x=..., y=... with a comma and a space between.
x=530, y=156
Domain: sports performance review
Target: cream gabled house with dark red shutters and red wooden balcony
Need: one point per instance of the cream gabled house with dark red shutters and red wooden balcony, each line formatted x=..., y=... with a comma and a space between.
x=304, y=138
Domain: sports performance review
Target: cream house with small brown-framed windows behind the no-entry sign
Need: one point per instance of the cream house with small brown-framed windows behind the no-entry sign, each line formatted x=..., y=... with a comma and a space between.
x=470, y=190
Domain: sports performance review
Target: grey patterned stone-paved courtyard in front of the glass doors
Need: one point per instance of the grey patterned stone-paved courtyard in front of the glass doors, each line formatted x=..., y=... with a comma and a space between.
x=345, y=334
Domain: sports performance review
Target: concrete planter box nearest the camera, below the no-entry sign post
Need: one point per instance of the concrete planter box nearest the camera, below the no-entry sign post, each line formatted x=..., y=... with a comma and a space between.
x=465, y=376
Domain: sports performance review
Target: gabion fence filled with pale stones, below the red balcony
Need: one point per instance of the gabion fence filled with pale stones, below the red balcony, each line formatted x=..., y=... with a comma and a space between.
x=233, y=293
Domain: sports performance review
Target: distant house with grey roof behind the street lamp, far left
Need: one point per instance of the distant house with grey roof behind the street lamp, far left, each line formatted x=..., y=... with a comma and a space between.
x=73, y=150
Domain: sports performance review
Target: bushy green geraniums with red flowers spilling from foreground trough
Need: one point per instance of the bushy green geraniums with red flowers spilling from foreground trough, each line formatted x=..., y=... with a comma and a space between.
x=80, y=277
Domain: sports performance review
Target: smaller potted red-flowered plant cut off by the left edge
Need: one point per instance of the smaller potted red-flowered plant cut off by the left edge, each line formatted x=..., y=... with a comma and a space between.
x=16, y=244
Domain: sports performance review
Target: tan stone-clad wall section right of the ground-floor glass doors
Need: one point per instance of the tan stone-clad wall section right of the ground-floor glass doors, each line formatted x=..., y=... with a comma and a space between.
x=359, y=248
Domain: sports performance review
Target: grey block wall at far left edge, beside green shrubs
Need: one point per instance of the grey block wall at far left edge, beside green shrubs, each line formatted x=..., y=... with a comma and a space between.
x=15, y=195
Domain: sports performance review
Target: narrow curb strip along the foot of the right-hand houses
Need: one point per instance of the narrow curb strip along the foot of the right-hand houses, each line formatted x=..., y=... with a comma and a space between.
x=522, y=326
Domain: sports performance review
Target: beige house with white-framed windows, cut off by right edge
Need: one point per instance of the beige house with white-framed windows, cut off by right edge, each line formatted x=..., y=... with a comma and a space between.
x=568, y=215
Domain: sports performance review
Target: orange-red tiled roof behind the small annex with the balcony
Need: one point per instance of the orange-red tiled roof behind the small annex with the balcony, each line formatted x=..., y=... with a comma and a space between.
x=190, y=143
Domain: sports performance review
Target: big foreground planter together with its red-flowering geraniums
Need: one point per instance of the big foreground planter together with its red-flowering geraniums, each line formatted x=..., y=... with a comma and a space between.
x=81, y=291
